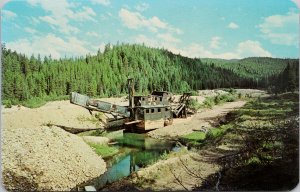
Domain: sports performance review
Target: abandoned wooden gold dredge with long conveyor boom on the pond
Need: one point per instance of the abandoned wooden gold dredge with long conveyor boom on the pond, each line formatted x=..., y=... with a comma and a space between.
x=143, y=112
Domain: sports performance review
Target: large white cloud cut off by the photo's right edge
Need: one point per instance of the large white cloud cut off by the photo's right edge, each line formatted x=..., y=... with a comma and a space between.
x=281, y=29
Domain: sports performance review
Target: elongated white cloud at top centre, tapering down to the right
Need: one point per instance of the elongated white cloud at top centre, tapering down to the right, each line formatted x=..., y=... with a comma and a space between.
x=134, y=20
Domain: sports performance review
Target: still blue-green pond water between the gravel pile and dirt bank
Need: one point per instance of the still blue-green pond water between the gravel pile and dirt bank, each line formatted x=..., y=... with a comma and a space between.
x=135, y=151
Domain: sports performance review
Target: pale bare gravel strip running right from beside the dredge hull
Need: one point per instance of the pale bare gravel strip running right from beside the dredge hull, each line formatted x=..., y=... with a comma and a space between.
x=207, y=118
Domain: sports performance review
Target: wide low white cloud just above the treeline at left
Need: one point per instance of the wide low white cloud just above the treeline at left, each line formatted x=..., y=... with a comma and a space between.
x=50, y=44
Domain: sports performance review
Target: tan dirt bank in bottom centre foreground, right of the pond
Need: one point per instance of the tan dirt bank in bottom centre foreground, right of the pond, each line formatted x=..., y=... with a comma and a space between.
x=177, y=173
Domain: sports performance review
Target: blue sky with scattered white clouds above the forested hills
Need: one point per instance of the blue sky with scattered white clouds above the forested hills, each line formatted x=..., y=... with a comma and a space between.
x=228, y=29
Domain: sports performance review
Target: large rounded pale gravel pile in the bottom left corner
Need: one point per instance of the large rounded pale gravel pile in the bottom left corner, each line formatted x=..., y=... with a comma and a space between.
x=46, y=158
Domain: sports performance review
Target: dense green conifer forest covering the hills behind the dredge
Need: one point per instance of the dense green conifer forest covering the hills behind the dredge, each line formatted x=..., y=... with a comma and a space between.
x=105, y=74
